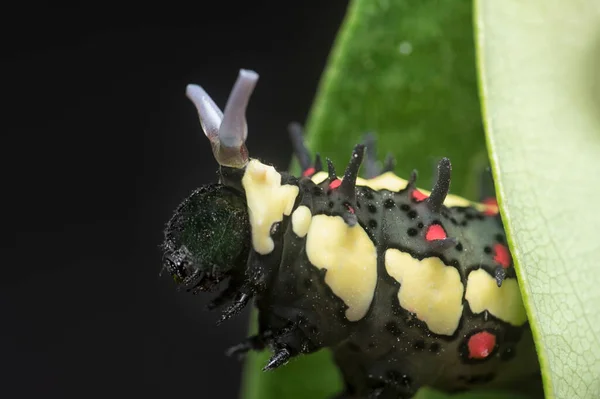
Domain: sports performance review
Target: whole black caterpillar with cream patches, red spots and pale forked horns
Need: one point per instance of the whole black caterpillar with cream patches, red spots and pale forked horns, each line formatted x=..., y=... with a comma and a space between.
x=407, y=287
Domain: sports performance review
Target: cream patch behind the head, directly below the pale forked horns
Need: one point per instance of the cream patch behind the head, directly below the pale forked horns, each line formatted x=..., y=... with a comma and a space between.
x=267, y=201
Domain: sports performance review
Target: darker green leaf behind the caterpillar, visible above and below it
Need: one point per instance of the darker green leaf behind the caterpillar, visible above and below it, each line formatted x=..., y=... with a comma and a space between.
x=404, y=70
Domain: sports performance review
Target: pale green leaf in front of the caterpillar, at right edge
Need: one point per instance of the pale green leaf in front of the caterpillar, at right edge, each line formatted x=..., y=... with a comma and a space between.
x=540, y=77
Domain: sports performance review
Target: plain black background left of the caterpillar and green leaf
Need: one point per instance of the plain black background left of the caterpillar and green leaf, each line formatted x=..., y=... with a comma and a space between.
x=99, y=145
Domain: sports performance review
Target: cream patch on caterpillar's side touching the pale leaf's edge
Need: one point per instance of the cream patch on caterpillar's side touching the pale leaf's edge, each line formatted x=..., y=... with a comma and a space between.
x=503, y=302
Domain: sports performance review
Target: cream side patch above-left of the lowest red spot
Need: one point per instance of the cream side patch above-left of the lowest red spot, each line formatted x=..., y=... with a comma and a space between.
x=428, y=288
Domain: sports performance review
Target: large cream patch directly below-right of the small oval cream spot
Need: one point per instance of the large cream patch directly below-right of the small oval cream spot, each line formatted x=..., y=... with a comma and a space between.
x=350, y=258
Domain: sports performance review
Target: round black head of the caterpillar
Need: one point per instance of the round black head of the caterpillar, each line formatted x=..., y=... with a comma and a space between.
x=208, y=238
